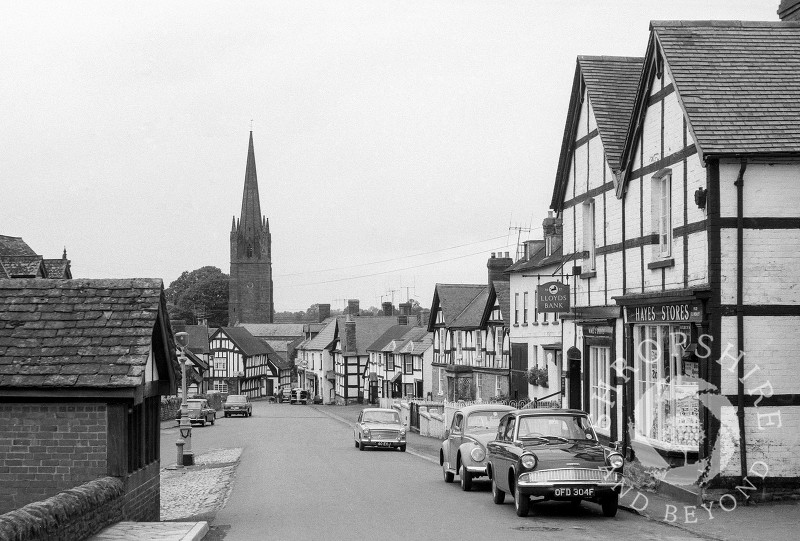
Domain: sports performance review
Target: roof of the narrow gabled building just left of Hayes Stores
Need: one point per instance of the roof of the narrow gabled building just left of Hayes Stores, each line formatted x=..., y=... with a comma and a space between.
x=611, y=82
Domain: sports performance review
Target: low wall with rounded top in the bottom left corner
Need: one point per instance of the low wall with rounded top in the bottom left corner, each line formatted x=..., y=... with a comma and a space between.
x=73, y=514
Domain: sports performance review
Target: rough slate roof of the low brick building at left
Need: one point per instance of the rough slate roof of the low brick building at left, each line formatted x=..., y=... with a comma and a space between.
x=80, y=333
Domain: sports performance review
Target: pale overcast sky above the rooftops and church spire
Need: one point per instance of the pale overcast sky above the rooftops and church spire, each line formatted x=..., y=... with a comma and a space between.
x=398, y=143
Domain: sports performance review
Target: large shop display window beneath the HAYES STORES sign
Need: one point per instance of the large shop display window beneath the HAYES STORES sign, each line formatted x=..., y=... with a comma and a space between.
x=666, y=387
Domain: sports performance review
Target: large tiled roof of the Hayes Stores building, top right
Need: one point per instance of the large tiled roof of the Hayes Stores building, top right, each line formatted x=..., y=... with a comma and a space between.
x=738, y=81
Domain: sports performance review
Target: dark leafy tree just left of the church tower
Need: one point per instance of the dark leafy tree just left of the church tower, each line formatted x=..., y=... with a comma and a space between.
x=201, y=291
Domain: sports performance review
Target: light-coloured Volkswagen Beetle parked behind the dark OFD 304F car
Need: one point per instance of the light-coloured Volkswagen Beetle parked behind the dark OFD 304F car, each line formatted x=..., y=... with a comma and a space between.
x=463, y=451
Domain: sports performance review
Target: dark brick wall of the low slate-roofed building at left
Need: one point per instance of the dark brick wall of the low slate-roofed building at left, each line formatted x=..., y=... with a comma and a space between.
x=47, y=448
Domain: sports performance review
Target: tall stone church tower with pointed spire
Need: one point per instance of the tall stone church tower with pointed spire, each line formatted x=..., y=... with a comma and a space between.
x=250, y=295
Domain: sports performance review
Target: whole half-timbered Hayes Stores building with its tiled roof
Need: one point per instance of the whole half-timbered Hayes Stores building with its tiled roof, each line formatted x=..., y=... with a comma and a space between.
x=710, y=248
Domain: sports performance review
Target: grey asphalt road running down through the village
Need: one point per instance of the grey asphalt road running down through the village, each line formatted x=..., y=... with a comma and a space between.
x=301, y=477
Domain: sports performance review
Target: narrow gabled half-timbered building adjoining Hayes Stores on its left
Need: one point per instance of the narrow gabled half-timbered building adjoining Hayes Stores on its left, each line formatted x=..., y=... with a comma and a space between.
x=594, y=241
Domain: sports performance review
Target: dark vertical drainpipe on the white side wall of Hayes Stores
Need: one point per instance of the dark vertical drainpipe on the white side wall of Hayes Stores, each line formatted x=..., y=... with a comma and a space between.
x=740, y=313
